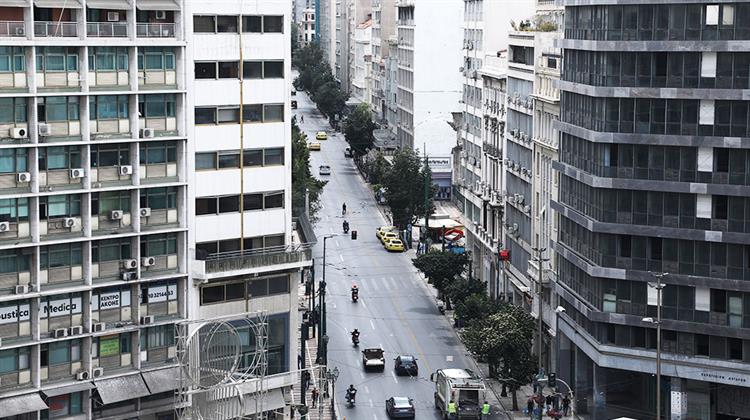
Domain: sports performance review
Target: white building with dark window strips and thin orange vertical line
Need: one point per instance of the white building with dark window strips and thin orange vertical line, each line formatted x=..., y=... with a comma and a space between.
x=247, y=257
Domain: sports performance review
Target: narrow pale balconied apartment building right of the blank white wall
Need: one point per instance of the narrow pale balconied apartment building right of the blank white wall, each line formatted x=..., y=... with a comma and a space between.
x=485, y=38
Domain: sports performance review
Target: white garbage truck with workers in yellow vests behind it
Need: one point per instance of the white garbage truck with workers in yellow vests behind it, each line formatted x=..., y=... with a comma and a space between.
x=462, y=387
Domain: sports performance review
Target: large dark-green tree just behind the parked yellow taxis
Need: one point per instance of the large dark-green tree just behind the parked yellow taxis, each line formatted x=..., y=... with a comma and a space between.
x=405, y=185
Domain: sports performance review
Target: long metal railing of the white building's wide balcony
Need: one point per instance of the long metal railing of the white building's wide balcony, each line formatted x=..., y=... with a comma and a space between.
x=243, y=260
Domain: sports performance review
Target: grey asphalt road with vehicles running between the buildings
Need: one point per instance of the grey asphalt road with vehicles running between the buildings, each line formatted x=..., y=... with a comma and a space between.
x=395, y=311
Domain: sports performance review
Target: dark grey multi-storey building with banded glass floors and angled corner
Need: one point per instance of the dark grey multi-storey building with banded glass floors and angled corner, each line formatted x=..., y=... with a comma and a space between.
x=655, y=182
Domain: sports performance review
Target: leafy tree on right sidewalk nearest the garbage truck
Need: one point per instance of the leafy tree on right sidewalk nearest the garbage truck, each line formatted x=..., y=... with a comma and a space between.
x=504, y=340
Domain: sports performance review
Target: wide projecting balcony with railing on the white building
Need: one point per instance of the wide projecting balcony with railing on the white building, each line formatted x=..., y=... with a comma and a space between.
x=252, y=260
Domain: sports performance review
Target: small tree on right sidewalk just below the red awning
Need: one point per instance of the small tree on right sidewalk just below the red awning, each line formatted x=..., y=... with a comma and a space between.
x=442, y=268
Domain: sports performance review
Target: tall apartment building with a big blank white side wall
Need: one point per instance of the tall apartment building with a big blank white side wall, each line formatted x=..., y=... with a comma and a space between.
x=429, y=45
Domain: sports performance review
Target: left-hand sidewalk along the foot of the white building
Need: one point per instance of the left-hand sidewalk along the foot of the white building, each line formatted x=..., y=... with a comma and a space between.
x=323, y=410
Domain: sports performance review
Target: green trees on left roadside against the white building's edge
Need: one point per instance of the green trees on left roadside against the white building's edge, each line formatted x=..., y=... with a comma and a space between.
x=302, y=178
